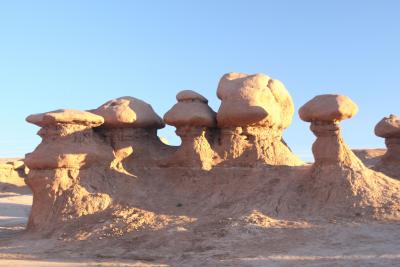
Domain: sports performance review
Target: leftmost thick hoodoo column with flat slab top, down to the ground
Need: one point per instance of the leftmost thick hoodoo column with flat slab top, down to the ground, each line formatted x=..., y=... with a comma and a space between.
x=61, y=162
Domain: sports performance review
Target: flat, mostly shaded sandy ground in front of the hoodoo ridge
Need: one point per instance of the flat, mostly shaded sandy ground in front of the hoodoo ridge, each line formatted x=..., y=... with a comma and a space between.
x=335, y=243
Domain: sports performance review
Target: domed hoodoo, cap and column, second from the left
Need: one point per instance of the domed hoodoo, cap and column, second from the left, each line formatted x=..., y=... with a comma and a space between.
x=130, y=126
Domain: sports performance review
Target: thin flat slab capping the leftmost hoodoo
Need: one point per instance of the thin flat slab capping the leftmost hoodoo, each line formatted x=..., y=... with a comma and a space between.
x=65, y=116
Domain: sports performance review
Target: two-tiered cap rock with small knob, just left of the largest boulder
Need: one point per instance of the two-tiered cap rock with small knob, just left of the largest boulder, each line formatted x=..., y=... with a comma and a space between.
x=191, y=110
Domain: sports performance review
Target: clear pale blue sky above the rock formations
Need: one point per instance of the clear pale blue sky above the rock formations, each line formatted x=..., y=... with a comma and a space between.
x=79, y=54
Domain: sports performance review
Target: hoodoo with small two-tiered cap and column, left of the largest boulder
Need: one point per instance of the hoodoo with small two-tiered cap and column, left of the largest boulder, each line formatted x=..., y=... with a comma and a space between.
x=192, y=118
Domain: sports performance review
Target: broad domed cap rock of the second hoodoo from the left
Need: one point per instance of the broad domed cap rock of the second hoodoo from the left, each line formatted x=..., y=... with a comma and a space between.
x=128, y=112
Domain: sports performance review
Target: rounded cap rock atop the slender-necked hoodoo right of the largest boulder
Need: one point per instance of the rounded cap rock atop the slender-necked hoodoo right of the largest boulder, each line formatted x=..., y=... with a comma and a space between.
x=328, y=108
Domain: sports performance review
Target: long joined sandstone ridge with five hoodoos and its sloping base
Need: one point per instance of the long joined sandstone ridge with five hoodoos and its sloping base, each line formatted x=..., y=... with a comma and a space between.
x=105, y=173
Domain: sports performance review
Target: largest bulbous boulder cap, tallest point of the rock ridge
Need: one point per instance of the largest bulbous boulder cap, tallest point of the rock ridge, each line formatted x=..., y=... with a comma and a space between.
x=253, y=100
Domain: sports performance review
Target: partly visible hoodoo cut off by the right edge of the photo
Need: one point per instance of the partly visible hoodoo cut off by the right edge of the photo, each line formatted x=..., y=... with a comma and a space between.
x=389, y=128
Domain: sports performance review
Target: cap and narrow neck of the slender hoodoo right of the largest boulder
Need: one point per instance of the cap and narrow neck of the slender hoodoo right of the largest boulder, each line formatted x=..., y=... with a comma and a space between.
x=325, y=112
